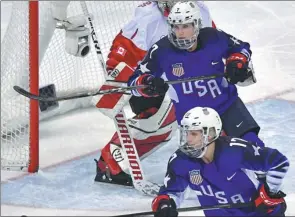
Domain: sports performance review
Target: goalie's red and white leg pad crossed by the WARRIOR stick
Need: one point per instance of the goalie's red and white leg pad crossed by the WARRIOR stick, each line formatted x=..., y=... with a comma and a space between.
x=145, y=142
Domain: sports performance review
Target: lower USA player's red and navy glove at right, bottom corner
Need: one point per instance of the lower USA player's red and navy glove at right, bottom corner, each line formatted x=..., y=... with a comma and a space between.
x=268, y=203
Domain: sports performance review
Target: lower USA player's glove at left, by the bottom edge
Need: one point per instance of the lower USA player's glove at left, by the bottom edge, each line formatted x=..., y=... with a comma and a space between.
x=164, y=206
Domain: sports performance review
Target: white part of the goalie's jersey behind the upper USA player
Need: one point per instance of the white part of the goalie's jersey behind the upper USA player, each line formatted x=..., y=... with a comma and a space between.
x=149, y=25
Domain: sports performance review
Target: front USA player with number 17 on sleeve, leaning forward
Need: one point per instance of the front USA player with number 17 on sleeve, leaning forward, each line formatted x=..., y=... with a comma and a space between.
x=220, y=169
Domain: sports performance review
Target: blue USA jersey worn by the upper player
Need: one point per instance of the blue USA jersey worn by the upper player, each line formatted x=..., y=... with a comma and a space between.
x=165, y=60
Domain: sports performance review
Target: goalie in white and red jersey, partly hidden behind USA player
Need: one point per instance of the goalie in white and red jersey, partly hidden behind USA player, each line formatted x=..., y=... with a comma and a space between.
x=155, y=116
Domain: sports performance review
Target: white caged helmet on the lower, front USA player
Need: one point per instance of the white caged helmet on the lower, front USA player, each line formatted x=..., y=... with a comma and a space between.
x=204, y=119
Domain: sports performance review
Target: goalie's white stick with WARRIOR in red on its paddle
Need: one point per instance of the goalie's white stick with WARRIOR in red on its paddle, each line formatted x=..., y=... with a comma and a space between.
x=123, y=129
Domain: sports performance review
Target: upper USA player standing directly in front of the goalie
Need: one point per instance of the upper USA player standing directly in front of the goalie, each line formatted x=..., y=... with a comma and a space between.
x=189, y=51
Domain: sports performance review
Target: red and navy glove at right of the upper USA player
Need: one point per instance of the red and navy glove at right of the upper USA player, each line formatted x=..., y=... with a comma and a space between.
x=237, y=68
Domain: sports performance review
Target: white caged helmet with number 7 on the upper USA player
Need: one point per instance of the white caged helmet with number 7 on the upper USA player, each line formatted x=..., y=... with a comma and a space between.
x=184, y=12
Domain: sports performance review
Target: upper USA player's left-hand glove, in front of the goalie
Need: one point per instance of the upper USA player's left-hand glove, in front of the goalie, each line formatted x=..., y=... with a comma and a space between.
x=156, y=86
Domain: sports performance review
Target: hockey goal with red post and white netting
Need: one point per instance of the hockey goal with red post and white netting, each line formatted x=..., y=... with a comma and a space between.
x=33, y=56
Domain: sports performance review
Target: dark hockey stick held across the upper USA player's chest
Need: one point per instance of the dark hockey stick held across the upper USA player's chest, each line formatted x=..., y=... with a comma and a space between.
x=101, y=92
